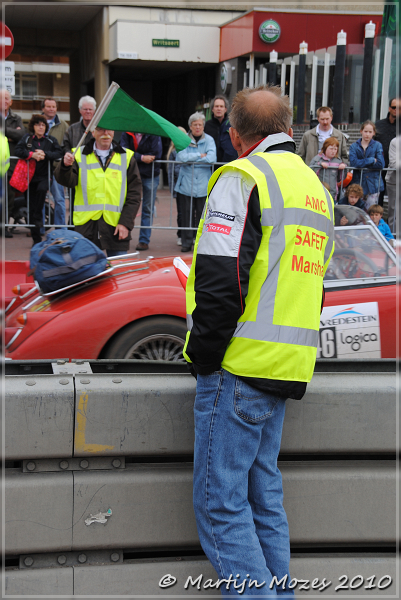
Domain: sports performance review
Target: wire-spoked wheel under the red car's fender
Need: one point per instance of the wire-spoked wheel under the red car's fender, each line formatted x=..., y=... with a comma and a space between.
x=159, y=338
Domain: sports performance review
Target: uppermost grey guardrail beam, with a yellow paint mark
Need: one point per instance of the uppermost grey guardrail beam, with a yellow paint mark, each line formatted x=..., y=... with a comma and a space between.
x=100, y=415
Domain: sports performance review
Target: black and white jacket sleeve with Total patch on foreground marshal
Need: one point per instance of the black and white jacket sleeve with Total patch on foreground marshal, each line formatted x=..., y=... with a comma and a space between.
x=222, y=275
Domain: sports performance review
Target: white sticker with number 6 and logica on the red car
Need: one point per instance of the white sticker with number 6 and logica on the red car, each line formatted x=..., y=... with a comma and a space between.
x=350, y=331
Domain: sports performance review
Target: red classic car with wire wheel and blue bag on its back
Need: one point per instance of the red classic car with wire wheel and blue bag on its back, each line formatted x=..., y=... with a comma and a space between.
x=136, y=309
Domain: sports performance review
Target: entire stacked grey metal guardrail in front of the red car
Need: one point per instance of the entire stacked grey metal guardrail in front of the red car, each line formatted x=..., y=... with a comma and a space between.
x=98, y=480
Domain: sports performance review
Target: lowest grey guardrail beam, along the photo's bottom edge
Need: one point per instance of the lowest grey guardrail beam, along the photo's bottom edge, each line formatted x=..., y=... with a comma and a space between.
x=347, y=574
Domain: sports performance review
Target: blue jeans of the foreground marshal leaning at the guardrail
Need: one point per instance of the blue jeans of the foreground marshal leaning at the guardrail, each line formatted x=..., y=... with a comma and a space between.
x=238, y=494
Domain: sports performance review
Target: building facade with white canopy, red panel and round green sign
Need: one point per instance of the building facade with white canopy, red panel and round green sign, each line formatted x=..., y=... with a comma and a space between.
x=175, y=59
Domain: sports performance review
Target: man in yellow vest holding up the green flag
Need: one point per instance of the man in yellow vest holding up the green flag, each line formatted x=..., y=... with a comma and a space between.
x=107, y=191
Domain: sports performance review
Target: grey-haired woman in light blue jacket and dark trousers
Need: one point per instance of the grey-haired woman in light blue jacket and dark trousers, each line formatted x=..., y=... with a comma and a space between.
x=194, y=175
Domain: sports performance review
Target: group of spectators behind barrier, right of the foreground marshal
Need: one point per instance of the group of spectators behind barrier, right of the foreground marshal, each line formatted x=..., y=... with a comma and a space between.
x=324, y=149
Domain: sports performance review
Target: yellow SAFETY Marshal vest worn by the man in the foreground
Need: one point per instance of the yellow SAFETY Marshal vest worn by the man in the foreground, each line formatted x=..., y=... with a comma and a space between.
x=277, y=335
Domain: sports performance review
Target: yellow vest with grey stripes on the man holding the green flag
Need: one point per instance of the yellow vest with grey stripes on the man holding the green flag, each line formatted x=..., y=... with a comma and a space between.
x=100, y=193
